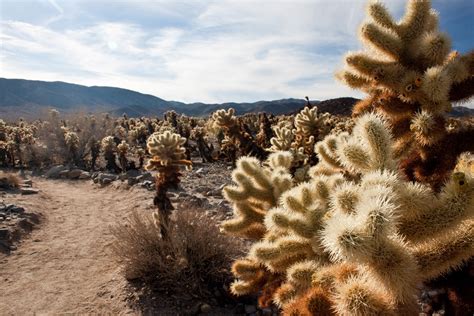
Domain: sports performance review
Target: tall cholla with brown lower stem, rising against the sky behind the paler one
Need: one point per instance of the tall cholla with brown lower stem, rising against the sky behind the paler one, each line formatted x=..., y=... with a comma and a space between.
x=413, y=77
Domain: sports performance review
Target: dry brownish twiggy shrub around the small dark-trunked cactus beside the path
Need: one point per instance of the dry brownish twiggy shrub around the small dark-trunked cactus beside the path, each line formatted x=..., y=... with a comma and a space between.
x=194, y=258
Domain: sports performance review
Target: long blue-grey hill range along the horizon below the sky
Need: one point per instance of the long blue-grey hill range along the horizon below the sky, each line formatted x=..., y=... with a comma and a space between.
x=28, y=98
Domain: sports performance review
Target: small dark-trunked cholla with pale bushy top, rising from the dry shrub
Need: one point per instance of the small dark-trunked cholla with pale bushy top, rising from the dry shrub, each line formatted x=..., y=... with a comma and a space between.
x=168, y=154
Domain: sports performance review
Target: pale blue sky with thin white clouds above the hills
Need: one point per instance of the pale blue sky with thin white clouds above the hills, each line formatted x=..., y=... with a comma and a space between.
x=198, y=51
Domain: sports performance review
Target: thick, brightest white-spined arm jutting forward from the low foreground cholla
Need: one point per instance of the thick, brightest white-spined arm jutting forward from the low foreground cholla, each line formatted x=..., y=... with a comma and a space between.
x=363, y=236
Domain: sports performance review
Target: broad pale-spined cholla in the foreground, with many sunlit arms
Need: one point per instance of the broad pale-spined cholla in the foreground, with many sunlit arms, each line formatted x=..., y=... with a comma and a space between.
x=357, y=239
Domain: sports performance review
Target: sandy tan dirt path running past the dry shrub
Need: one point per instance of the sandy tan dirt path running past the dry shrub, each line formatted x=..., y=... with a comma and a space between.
x=65, y=266
